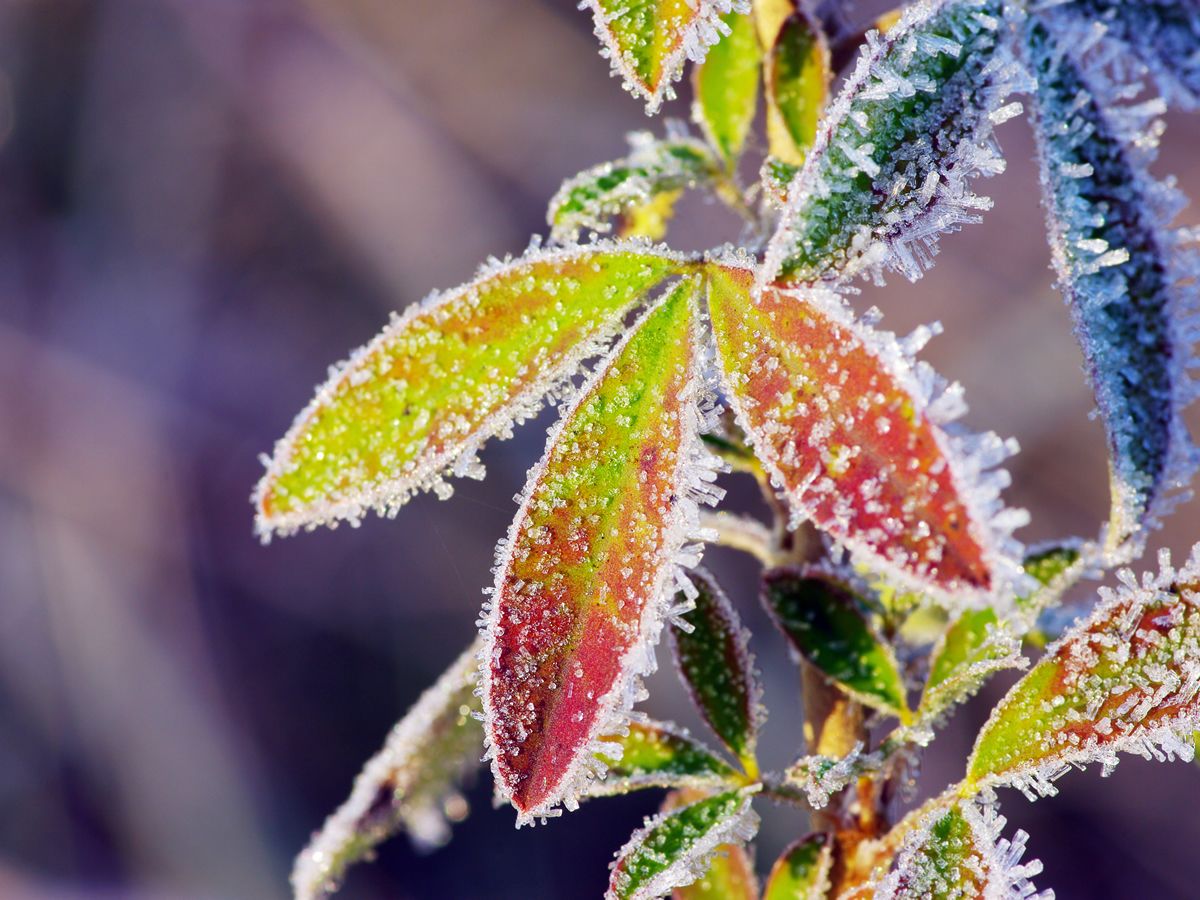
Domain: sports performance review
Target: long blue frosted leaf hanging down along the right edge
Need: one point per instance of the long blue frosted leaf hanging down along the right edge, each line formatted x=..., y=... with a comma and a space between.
x=1120, y=268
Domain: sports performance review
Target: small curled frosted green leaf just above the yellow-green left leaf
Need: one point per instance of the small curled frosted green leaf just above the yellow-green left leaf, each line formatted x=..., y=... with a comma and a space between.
x=653, y=170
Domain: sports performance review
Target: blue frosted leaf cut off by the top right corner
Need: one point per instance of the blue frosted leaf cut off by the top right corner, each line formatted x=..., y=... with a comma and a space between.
x=1163, y=34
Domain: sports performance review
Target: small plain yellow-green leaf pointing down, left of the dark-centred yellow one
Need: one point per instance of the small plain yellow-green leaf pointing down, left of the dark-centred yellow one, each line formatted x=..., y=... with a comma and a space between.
x=727, y=88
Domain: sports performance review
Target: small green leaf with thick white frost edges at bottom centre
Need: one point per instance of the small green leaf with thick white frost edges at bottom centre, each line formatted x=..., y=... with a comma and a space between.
x=673, y=850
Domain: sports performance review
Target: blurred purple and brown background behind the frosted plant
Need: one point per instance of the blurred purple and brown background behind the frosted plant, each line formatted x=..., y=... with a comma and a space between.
x=206, y=203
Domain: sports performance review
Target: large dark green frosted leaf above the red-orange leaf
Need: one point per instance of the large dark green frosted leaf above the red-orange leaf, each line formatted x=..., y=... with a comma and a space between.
x=893, y=160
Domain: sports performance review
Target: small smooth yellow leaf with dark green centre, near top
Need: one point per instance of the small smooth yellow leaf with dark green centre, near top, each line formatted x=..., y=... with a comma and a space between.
x=799, y=77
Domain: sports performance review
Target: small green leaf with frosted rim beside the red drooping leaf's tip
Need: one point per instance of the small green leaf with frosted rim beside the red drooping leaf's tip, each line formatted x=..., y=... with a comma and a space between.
x=657, y=755
